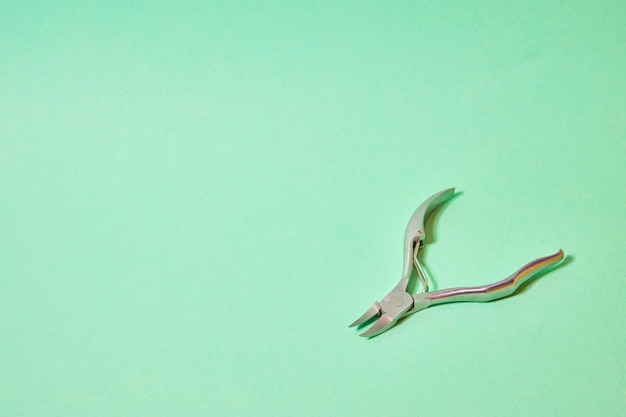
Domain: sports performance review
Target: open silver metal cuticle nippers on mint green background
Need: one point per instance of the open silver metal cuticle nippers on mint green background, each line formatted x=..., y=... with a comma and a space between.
x=399, y=303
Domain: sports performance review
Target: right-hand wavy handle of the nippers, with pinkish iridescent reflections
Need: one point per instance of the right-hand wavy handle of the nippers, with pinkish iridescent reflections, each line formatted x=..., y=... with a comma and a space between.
x=496, y=290
